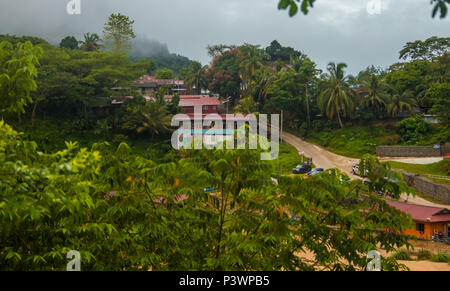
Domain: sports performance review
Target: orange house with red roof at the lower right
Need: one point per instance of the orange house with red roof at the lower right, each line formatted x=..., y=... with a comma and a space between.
x=429, y=221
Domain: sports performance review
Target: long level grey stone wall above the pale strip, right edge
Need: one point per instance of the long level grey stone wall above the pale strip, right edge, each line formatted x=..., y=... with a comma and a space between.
x=412, y=151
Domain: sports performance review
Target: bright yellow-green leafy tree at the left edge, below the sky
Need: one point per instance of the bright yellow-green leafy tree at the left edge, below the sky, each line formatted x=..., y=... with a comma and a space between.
x=17, y=76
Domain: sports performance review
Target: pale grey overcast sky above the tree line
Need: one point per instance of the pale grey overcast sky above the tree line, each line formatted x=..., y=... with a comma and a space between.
x=335, y=30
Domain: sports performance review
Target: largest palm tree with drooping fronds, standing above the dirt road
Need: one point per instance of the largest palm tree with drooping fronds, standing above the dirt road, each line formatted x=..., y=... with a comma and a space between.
x=335, y=100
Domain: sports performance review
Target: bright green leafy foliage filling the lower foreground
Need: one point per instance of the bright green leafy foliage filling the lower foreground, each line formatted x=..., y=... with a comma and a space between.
x=125, y=212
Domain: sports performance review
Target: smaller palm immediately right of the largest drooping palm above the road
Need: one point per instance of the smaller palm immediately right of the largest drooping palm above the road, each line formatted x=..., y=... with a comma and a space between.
x=375, y=95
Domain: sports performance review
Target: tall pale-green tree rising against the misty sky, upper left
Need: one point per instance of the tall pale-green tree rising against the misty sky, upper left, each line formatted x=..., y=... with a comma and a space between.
x=119, y=32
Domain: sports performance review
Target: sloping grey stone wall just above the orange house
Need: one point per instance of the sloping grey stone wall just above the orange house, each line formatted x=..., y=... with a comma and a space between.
x=426, y=186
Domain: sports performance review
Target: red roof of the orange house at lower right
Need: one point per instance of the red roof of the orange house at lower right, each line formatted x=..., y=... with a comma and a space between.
x=422, y=213
